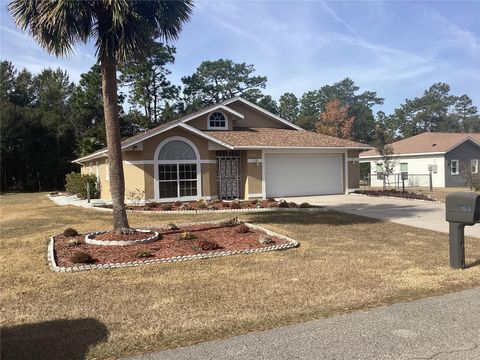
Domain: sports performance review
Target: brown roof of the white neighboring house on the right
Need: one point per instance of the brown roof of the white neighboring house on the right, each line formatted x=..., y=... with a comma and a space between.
x=429, y=142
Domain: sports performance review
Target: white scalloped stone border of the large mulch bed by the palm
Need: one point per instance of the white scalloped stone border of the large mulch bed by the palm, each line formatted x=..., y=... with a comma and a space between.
x=291, y=243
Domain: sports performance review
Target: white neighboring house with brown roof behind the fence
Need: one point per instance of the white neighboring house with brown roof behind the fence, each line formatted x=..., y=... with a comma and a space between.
x=450, y=157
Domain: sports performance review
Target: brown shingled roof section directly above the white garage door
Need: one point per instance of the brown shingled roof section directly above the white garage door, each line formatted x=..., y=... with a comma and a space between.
x=274, y=137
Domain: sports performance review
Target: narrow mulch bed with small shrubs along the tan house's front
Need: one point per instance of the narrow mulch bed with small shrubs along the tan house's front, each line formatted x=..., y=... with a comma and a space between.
x=213, y=205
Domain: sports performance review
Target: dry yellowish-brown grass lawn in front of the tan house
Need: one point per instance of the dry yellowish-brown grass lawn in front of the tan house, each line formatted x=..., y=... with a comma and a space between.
x=344, y=263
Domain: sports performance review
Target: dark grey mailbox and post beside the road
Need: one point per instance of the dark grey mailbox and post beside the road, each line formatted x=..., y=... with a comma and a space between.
x=462, y=209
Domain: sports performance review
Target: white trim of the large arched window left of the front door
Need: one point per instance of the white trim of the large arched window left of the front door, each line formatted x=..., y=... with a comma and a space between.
x=156, y=162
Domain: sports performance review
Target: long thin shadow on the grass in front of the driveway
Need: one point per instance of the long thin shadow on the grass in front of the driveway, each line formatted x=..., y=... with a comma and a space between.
x=311, y=218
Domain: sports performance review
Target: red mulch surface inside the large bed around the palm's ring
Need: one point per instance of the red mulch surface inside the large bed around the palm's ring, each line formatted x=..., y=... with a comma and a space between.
x=170, y=245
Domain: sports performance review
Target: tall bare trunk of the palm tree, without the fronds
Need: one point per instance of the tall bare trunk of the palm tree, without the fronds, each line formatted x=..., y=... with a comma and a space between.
x=112, y=127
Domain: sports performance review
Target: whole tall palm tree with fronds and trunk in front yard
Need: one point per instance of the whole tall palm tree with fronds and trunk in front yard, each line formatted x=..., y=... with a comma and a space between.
x=121, y=29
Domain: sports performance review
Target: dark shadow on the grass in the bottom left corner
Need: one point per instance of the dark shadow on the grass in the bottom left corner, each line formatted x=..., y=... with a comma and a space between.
x=57, y=339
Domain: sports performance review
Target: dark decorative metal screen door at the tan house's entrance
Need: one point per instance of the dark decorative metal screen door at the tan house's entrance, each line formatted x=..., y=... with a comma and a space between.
x=228, y=174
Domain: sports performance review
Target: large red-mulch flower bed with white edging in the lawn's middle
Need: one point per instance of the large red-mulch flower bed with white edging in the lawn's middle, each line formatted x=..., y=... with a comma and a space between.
x=203, y=240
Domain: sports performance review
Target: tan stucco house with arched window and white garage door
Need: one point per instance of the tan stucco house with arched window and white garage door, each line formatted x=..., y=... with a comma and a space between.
x=234, y=149
